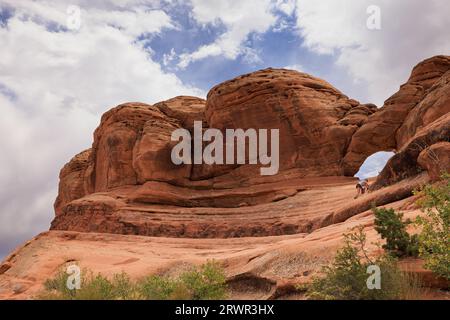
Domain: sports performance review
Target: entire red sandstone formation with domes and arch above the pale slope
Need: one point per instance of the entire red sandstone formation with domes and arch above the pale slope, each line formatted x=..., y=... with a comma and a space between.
x=126, y=183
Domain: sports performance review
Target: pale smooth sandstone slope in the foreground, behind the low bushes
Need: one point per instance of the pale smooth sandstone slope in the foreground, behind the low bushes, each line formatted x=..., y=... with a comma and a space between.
x=256, y=267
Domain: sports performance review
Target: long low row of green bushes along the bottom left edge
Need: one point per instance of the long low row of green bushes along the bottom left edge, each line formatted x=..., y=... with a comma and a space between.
x=205, y=282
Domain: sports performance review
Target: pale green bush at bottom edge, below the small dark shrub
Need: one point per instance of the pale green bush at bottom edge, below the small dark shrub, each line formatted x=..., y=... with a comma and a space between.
x=345, y=278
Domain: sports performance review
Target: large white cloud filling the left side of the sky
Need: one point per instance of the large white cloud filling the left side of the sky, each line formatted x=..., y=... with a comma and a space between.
x=55, y=85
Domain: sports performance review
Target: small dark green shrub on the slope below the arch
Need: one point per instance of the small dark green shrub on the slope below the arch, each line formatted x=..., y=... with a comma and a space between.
x=392, y=228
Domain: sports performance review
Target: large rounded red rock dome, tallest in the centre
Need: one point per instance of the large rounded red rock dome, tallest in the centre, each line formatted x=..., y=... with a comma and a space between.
x=316, y=121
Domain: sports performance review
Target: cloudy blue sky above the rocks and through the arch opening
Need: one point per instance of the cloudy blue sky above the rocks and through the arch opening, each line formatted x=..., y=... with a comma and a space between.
x=59, y=71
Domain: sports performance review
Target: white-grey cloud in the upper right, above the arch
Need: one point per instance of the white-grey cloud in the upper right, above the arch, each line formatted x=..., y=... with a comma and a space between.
x=411, y=30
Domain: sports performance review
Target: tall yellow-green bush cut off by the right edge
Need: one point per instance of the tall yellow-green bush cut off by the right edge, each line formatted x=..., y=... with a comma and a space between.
x=434, y=240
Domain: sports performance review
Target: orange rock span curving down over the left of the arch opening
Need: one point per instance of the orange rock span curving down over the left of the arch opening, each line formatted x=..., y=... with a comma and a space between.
x=421, y=100
